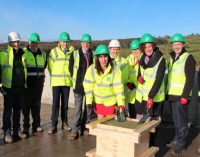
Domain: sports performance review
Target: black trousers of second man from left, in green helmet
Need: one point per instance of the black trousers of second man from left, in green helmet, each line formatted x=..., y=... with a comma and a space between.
x=32, y=103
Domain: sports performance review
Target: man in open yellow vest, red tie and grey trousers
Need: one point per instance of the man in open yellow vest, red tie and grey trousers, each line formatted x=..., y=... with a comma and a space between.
x=80, y=61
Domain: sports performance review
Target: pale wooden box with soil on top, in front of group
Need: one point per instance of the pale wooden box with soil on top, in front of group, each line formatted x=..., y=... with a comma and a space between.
x=120, y=141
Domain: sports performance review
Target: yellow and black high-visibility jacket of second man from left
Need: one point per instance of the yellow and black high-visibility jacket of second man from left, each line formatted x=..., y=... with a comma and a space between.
x=35, y=66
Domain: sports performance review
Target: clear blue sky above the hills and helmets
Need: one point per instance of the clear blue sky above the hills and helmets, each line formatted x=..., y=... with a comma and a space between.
x=102, y=19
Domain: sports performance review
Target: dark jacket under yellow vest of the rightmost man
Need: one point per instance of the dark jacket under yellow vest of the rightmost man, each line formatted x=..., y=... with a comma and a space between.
x=189, y=73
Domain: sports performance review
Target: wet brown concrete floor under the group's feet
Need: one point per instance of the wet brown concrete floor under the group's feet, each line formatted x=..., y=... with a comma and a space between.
x=57, y=145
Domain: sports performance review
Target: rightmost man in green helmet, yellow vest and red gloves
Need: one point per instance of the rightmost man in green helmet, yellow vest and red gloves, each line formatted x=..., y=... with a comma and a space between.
x=179, y=90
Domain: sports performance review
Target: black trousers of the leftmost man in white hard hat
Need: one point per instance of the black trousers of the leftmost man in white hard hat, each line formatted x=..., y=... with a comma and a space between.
x=13, y=100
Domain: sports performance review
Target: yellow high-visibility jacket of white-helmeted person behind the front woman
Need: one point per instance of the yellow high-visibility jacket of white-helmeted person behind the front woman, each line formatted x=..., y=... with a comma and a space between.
x=121, y=62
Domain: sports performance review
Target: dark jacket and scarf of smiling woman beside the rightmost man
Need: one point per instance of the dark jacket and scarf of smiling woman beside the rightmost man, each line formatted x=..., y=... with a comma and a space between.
x=160, y=72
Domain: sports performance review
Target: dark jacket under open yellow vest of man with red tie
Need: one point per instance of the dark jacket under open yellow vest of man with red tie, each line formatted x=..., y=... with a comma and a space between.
x=81, y=70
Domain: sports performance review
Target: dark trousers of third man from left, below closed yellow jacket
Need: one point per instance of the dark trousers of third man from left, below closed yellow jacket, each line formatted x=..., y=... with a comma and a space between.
x=60, y=92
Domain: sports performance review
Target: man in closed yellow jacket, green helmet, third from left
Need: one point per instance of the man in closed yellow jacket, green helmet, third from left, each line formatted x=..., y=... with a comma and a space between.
x=58, y=65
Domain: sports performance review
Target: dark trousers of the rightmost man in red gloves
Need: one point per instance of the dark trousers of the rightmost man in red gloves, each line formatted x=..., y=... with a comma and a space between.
x=179, y=115
